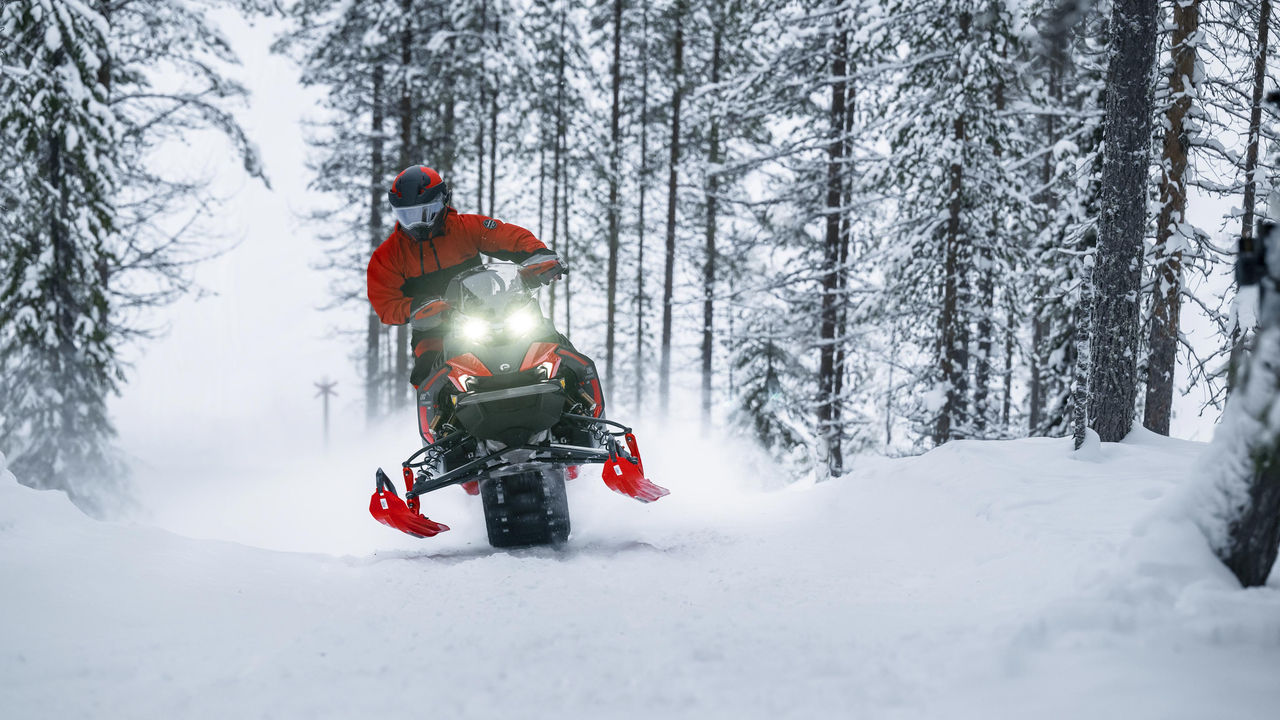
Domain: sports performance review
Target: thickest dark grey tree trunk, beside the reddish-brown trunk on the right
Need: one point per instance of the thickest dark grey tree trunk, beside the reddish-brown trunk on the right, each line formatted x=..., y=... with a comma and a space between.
x=1118, y=267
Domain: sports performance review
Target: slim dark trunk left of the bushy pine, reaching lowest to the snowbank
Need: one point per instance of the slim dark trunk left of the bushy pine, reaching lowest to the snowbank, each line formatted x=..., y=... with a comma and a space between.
x=829, y=412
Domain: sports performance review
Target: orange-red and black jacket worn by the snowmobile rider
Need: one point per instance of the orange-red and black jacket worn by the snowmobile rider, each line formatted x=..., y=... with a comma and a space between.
x=404, y=271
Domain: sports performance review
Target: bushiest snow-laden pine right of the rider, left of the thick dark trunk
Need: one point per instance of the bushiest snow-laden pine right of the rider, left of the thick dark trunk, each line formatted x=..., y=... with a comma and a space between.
x=961, y=221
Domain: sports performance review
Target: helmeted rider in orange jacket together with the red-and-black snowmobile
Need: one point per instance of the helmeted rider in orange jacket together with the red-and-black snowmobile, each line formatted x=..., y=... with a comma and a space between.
x=514, y=409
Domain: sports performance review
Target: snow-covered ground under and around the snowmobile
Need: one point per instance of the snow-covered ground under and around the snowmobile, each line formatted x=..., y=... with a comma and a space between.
x=985, y=580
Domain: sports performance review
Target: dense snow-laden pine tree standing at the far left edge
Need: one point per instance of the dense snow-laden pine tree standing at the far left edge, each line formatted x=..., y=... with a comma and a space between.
x=61, y=354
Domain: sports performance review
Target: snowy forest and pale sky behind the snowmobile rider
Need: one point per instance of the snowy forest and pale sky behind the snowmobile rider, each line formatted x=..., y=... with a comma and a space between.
x=830, y=227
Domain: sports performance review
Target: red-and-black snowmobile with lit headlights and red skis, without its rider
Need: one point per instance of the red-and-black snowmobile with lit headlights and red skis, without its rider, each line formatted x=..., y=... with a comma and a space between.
x=511, y=413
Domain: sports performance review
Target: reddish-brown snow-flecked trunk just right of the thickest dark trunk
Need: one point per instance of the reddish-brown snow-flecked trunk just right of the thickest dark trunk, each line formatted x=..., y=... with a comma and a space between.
x=1167, y=294
